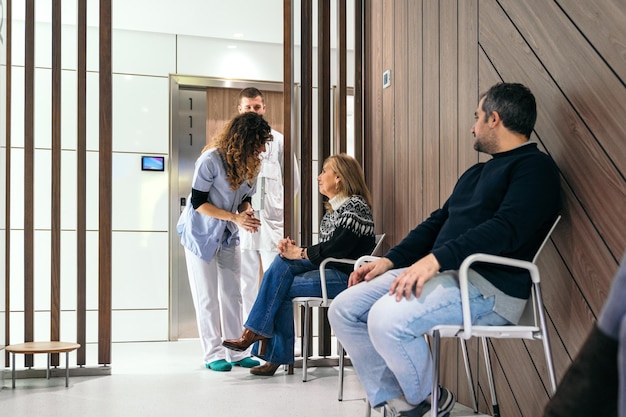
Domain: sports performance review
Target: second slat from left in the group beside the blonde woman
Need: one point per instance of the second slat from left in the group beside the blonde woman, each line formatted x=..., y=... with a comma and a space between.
x=306, y=143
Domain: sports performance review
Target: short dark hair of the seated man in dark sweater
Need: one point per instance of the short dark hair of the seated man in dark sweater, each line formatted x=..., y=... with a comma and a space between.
x=515, y=104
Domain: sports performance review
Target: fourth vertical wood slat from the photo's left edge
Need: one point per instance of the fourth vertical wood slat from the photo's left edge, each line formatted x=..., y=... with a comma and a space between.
x=81, y=186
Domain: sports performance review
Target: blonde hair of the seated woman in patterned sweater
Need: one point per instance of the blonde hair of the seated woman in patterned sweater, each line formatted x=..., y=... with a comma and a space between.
x=352, y=178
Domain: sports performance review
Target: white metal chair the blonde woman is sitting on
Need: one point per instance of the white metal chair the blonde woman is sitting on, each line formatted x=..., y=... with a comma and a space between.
x=322, y=302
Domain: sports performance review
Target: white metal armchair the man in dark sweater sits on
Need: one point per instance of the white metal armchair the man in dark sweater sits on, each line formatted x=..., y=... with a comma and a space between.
x=532, y=325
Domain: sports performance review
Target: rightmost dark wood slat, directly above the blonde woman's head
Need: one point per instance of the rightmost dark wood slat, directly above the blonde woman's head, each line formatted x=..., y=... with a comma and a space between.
x=359, y=75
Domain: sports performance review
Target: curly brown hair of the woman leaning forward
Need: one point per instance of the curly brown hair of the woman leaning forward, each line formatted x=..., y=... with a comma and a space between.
x=239, y=144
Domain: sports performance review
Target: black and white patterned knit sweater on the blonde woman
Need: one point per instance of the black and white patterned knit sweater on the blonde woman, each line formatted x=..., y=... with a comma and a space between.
x=345, y=232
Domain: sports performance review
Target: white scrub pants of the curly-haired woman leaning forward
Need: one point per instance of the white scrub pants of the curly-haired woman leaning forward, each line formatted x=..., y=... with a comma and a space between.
x=216, y=293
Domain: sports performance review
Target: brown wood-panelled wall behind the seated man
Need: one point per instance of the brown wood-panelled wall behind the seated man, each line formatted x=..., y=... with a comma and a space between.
x=571, y=55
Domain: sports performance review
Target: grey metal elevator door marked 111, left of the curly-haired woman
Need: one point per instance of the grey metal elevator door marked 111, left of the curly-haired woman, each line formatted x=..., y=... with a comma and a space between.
x=190, y=139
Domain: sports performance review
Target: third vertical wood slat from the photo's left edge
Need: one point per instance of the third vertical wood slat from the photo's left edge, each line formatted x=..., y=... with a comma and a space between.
x=55, y=186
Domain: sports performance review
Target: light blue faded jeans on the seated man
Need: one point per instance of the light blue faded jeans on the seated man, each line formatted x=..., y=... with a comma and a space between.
x=384, y=337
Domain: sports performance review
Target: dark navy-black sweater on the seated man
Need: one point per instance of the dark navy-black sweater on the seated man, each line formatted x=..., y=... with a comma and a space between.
x=504, y=207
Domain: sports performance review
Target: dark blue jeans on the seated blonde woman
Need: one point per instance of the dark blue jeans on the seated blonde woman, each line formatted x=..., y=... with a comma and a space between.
x=272, y=313
